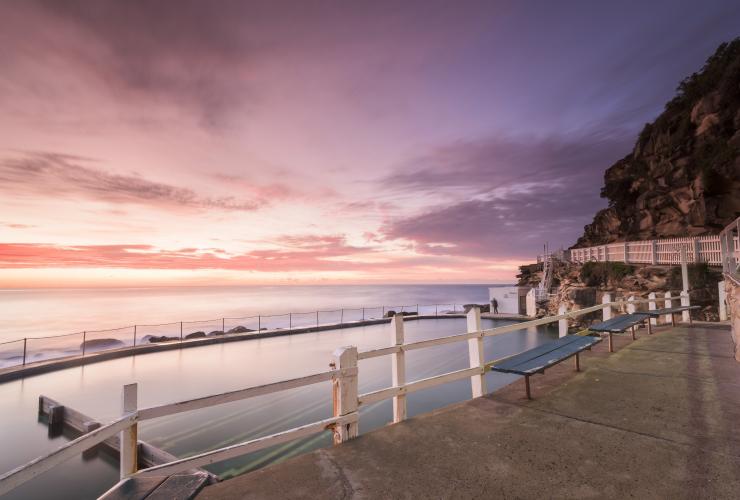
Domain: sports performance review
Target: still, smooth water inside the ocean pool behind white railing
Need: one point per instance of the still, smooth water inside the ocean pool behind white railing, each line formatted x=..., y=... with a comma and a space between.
x=194, y=372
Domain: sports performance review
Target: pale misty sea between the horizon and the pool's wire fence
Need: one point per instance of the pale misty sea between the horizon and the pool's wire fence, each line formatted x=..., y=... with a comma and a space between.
x=39, y=313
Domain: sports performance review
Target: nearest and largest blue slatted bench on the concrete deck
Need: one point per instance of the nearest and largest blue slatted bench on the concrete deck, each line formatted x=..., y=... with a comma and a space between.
x=536, y=360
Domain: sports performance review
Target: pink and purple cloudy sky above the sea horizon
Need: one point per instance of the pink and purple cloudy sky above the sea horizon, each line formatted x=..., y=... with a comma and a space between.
x=304, y=142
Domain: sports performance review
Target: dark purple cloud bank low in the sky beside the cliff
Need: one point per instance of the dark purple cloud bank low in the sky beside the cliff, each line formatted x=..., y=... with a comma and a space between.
x=515, y=195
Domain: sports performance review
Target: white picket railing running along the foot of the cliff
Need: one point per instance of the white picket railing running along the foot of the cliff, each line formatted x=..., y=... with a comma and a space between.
x=665, y=251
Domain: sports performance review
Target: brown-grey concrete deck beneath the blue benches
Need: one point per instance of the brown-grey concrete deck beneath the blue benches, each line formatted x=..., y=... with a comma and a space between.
x=656, y=419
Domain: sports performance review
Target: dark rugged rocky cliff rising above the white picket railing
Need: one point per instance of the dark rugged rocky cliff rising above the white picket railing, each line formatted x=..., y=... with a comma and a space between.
x=683, y=176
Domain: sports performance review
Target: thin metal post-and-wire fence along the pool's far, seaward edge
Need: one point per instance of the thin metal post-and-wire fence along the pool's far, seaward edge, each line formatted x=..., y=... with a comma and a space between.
x=35, y=349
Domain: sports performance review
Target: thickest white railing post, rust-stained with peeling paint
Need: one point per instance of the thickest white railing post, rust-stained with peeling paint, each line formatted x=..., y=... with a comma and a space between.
x=344, y=393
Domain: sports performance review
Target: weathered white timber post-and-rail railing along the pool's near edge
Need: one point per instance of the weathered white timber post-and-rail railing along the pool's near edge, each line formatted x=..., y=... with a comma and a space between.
x=344, y=423
